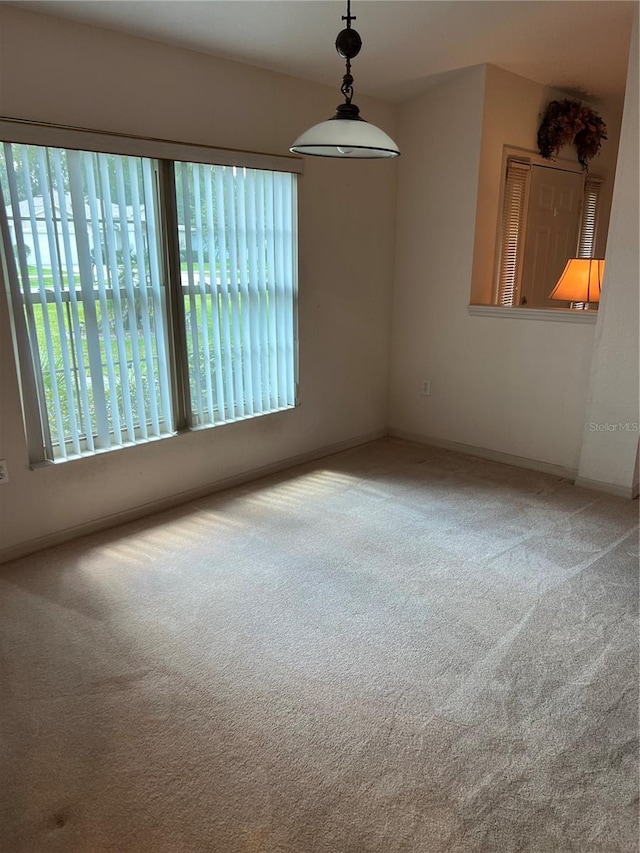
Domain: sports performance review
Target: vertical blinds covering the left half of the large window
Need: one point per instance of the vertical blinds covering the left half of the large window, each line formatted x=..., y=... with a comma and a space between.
x=85, y=242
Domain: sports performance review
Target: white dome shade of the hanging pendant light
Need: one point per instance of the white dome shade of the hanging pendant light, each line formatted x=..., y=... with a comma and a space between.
x=345, y=138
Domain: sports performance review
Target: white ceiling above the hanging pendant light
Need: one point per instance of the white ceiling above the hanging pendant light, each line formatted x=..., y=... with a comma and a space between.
x=578, y=46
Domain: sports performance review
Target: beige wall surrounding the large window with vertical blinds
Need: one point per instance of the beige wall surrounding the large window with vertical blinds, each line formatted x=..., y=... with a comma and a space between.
x=59, y=71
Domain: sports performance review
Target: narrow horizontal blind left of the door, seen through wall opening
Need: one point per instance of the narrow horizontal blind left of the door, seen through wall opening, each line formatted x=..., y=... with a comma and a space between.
x=512, y=231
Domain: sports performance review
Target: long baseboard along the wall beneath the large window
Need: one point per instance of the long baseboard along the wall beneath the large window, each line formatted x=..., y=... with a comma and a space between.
x=23, y=549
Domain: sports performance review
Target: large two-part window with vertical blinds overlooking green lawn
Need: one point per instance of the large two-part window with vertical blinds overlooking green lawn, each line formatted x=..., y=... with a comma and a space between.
x=148, y=295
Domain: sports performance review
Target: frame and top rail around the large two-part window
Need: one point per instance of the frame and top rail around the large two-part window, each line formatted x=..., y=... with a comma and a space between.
x=165, y=153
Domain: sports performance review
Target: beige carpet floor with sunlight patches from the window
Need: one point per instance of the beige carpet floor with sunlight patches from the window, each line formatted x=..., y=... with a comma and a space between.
x=394, y=649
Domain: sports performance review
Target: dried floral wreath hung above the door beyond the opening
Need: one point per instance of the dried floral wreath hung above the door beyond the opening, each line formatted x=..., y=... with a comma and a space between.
x=566, y=122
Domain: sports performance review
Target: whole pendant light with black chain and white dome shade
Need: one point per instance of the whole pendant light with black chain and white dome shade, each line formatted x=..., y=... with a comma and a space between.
x=346, y=134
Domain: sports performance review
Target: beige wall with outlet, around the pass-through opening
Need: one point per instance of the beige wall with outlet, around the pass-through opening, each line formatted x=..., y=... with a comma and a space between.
x=513, y=386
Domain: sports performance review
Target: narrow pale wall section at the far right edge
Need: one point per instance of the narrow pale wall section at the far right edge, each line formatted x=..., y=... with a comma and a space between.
x=609, y=455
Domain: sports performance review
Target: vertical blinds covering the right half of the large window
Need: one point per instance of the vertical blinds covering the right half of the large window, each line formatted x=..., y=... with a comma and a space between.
x=238, y=266
